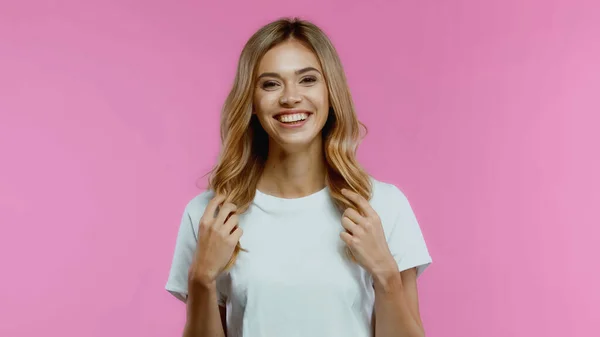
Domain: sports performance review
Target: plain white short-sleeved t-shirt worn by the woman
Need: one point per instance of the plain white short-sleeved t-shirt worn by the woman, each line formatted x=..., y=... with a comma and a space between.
x=295, y=279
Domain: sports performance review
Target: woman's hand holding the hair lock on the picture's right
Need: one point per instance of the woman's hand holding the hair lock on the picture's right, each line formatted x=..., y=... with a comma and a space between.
x=365, y=237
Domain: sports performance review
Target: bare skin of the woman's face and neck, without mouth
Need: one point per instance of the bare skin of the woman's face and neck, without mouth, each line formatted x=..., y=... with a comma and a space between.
x=290, y=77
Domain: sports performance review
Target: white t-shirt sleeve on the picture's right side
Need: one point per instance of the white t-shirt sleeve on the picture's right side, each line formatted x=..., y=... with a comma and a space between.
x=406, y=241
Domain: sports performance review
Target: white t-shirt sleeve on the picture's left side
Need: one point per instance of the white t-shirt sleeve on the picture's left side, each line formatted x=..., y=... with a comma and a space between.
x=185, y=249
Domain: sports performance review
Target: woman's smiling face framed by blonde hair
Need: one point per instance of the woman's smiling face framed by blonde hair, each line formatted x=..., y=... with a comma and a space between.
x=291, y=99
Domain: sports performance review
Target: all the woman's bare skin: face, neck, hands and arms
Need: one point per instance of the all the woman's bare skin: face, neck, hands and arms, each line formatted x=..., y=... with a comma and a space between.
x=290, y=77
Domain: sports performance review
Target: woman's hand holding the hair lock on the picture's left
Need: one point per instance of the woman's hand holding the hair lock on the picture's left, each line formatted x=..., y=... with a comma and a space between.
x=216, y=242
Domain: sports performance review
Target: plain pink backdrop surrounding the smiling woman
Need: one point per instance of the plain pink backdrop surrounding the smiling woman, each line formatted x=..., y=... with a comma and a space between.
x=484, y=112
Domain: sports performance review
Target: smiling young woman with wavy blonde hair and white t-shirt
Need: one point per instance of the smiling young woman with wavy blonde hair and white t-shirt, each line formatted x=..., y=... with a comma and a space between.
x=293, y=237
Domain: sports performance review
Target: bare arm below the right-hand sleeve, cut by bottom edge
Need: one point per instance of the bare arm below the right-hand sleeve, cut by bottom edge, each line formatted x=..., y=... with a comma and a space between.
x=397, y=304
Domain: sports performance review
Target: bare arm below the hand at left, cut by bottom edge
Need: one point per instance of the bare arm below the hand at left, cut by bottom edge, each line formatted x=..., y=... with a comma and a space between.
x=204, y=316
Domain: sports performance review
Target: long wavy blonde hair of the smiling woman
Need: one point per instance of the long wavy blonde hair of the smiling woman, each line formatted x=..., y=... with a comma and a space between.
x=244, y=143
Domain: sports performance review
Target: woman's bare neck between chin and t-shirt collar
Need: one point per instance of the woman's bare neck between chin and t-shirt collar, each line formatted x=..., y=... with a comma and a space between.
x=293, y=174
